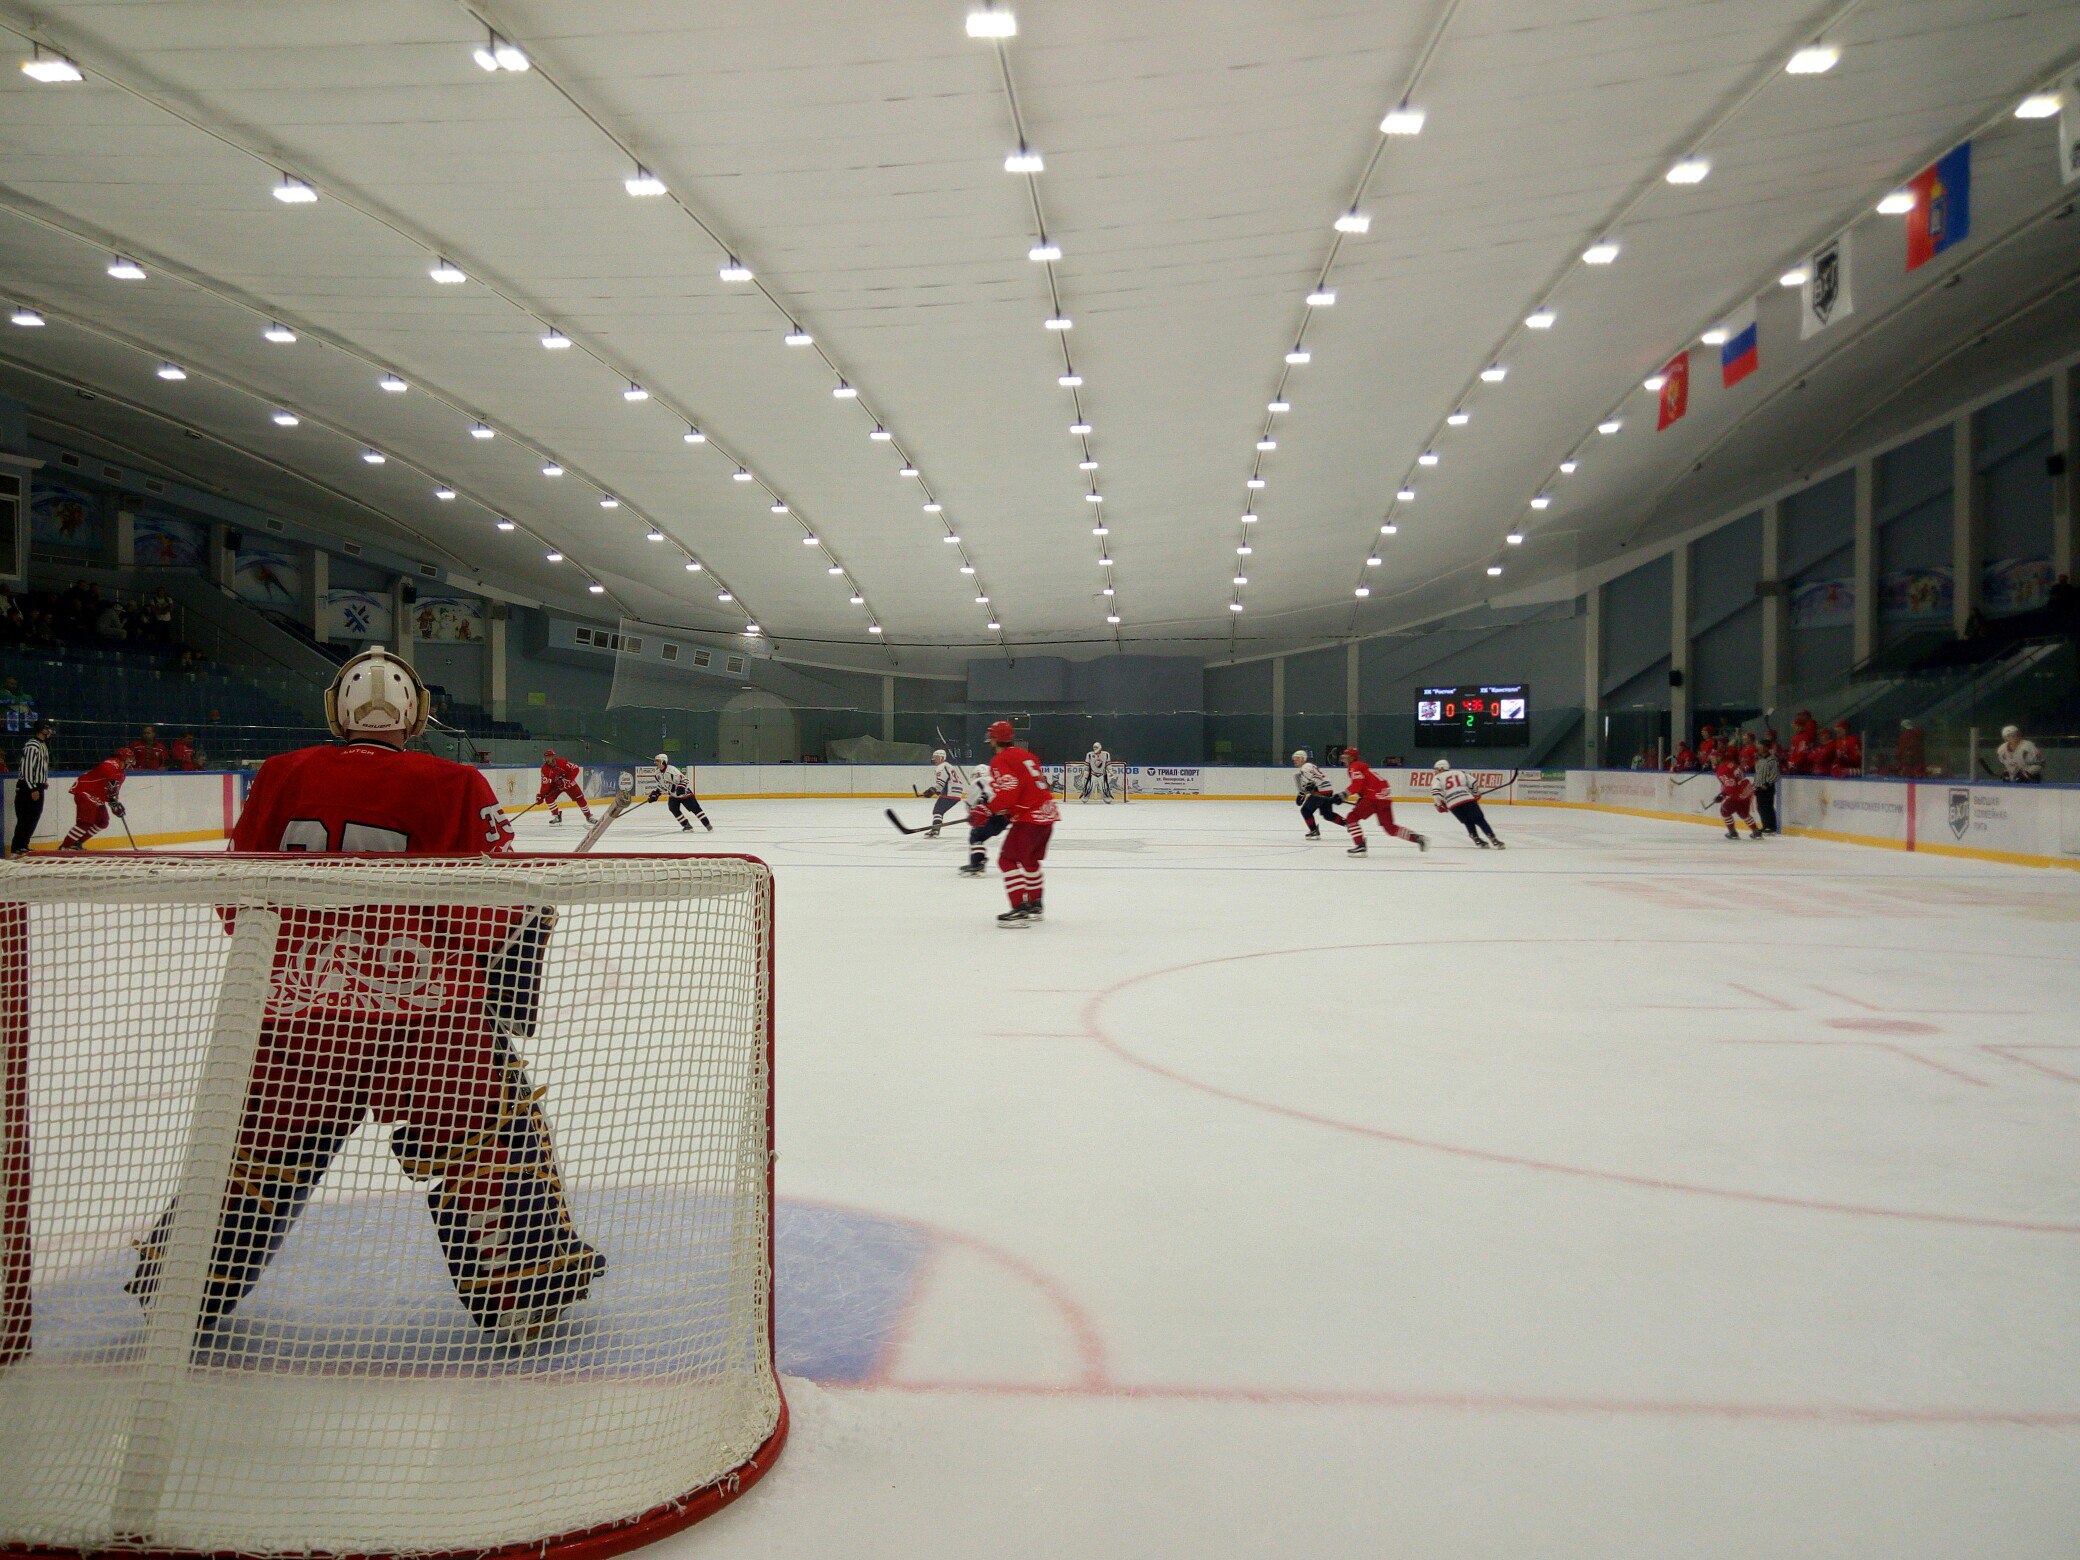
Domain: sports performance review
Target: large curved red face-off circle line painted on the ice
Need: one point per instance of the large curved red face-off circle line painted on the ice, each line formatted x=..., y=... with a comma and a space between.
x=1093, y=1022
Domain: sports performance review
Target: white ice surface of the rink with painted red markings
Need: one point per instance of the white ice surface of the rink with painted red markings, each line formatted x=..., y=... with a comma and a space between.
x=1630, y=1193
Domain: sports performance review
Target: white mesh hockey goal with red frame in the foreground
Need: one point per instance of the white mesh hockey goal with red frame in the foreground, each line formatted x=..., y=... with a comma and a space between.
x=359, y=1205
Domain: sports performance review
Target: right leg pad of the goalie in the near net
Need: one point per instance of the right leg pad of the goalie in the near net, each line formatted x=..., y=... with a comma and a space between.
x=496, y=1193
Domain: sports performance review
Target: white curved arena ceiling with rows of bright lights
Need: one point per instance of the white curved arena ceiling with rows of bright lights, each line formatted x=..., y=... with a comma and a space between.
x=1197, y=157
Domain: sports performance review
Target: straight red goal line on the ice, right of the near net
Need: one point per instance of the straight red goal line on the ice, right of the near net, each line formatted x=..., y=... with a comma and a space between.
x=1490, y=1403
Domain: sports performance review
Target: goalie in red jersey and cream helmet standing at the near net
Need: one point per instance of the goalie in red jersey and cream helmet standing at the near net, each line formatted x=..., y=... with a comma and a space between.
x=400, y=1016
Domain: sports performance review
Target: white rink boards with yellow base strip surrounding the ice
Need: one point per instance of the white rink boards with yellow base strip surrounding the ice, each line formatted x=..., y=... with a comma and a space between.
x=1985, y=823
